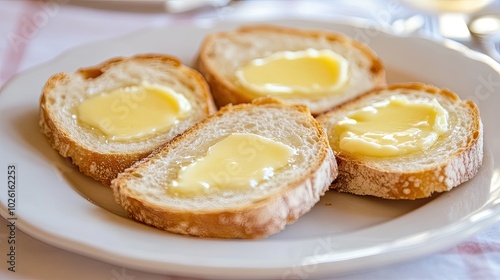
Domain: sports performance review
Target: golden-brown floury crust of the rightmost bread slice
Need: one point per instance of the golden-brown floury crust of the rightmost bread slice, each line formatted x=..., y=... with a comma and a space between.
x=363, y=176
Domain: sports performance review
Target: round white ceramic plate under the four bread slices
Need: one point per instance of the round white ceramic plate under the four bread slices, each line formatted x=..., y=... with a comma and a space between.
x=342, y=234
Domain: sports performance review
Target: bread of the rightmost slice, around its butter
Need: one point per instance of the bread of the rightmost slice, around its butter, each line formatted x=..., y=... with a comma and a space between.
x=452, y=160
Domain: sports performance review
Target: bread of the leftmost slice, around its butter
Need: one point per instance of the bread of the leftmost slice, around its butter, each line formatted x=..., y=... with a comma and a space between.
x=96, y=157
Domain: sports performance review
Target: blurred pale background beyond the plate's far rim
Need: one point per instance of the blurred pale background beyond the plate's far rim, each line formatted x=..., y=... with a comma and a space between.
x=28, y=24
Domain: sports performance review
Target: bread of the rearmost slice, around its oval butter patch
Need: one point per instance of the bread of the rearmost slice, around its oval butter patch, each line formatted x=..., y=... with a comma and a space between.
x=222, y=53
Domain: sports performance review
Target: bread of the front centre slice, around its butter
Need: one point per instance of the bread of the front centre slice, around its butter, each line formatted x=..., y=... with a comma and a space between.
x=251, y=213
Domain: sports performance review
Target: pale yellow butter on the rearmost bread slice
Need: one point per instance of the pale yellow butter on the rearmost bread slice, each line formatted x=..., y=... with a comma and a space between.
x=290, y=74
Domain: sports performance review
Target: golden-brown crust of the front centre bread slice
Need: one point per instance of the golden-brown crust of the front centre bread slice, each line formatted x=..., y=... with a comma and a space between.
x=260, y=219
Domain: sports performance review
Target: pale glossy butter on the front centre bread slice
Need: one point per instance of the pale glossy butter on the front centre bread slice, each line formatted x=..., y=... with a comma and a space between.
x=240, y=161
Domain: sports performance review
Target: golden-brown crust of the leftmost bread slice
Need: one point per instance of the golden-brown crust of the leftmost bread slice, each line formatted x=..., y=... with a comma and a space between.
x=102, y=167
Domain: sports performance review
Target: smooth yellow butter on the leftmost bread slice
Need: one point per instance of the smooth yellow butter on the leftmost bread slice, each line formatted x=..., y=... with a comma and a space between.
x=133, y=112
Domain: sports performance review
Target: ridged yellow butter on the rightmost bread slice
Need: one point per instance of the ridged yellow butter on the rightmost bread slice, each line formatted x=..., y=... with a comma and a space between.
x=393, y=127
